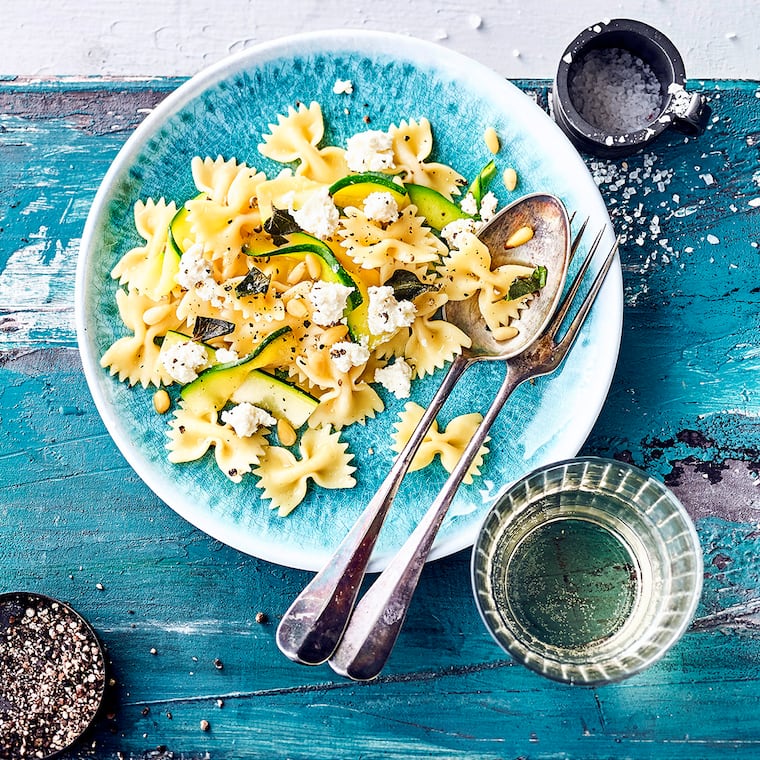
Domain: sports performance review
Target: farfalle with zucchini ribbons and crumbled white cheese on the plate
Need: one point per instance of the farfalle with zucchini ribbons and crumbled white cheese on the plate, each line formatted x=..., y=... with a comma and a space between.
x=279, y=310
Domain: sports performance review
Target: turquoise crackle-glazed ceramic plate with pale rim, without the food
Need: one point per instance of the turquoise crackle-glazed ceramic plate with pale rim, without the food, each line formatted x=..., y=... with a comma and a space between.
x=224, y=110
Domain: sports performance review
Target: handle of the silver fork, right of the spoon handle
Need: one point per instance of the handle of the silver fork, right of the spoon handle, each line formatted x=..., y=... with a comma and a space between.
x=376, y=622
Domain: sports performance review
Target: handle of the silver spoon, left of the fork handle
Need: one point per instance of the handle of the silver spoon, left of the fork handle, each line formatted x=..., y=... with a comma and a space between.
x=311, y=628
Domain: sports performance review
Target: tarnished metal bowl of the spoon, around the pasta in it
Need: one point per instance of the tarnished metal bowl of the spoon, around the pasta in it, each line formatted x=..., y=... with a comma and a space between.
x=546, y=216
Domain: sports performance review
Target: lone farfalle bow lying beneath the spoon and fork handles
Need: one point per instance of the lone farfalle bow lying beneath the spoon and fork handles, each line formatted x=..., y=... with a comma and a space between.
x=448, y=444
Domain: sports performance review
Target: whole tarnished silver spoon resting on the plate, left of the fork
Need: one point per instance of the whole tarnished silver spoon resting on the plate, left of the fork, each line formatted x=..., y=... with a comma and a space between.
x=312, y=627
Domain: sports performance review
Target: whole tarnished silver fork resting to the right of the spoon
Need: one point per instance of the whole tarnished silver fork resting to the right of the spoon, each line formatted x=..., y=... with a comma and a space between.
x=376, y=621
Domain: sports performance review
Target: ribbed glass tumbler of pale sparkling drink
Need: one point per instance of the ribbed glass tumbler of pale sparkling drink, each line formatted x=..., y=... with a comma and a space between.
x=587, y=571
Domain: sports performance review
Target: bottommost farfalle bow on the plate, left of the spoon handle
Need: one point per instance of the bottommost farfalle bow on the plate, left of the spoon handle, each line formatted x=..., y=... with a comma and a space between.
x=324, y=459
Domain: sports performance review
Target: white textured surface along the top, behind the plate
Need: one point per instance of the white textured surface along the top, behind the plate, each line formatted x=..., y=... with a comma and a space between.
x=517, y=38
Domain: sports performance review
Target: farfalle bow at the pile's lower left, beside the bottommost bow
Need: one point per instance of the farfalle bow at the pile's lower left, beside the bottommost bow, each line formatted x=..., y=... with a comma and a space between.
x=192, y=434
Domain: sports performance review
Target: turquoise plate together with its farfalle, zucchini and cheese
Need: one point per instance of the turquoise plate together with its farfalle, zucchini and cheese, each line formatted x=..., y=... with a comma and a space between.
x=261, y=281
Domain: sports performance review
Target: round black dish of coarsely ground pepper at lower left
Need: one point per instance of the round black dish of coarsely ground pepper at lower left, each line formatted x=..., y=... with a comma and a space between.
x=52, y=676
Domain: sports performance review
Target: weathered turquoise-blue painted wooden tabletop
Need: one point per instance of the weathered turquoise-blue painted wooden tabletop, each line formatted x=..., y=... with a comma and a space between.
x=76, y=523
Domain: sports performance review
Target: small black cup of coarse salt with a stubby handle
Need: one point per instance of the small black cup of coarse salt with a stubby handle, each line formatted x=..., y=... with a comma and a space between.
x=619, y=85
